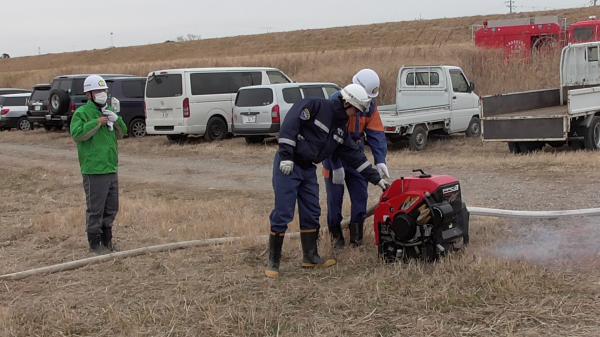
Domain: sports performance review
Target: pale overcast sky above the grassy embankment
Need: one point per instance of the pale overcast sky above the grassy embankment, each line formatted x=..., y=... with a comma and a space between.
x=68, y=25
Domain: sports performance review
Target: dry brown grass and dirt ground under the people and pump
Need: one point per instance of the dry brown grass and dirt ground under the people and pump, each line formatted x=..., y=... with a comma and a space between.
x=517, y=278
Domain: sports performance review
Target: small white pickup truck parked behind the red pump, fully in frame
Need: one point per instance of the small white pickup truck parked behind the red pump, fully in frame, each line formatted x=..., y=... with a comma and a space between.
x=431, y=99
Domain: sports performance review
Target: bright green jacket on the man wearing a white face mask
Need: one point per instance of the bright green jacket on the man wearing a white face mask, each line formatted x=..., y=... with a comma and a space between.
x=96, y=144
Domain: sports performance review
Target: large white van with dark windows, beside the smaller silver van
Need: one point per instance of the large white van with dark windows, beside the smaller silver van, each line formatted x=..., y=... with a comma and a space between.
x=199, y=101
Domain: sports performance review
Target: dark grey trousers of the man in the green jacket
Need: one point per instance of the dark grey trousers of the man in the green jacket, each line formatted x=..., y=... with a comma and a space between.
x=102, y=201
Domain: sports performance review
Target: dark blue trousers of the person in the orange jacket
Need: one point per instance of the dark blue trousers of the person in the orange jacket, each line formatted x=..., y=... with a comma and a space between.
x=359, y=194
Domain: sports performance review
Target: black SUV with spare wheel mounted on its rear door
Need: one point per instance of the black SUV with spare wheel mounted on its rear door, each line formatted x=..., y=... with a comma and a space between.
x=66, y=95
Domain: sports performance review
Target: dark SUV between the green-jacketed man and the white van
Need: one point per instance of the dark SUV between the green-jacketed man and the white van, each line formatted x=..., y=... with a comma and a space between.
x=130, y=93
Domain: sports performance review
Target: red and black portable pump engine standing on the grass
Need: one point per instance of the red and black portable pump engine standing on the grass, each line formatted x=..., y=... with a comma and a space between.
x=421, y=217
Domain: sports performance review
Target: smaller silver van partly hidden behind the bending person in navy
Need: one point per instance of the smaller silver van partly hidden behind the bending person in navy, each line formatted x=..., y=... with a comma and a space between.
x=259, y=110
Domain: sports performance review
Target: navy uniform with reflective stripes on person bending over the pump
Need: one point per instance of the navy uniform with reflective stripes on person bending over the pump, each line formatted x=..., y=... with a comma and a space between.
x=312, y=131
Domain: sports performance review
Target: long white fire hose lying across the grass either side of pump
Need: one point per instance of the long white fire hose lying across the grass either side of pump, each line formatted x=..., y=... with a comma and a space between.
x=474, y=211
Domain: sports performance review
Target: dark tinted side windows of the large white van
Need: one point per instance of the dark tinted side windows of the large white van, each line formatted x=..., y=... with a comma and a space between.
x=223, y=83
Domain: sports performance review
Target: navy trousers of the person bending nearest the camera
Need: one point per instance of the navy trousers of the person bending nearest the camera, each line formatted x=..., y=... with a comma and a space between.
x=301, y=186
